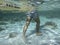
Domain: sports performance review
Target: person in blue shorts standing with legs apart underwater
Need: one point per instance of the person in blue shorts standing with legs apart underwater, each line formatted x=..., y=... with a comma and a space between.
x=33, y=15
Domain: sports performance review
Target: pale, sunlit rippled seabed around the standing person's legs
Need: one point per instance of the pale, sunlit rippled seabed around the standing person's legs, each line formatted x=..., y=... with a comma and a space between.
x=12, y=34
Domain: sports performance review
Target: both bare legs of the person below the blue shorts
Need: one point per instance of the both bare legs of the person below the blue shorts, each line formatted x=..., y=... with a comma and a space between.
x=37, y=20
